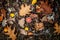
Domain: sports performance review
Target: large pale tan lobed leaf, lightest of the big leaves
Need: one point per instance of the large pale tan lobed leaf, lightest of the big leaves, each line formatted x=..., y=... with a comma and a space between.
x=24, y=10
